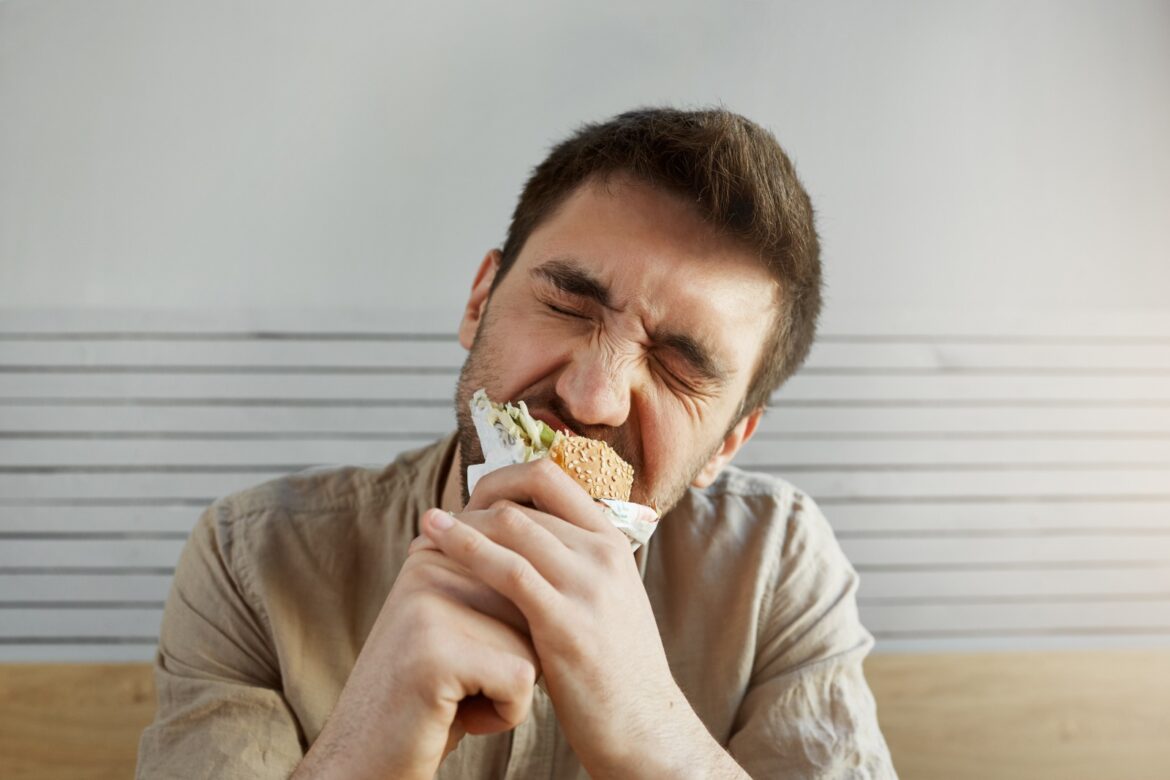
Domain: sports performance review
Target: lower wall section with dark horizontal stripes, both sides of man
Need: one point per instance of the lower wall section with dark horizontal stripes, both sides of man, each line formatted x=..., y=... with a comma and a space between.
x=999, y=485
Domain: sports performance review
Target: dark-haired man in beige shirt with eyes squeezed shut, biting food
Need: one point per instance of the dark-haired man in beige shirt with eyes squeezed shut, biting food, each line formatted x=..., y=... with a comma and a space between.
x=660, y=279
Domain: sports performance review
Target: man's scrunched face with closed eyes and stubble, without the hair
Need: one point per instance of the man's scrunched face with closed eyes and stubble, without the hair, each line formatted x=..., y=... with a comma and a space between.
x=625, y=319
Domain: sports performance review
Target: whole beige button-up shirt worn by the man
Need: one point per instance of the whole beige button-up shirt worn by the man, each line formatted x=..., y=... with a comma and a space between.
x=279, y=588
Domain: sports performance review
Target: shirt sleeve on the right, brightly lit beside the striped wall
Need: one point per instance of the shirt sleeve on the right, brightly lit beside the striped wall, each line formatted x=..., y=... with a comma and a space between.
x=809, y=712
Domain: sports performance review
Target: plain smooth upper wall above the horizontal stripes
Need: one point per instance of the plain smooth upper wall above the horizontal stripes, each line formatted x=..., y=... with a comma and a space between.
x=1008, y=155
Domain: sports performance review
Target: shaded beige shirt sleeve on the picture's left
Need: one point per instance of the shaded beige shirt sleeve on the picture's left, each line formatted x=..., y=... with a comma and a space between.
x=221, y=709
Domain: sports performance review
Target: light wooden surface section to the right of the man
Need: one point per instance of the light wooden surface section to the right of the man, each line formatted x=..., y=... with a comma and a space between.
x=1036, y=716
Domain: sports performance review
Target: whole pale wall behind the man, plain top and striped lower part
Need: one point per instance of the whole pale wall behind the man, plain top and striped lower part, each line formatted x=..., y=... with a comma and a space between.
x=986, y=418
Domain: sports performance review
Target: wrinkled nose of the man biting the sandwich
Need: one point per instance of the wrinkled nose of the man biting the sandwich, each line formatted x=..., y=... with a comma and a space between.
x=595, y=389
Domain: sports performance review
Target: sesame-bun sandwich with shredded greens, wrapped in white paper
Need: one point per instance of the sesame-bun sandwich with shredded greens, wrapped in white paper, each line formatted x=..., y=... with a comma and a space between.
x=510, y=434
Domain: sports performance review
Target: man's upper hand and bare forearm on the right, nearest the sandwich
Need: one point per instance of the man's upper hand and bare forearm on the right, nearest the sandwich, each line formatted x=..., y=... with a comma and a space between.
x=535, y=537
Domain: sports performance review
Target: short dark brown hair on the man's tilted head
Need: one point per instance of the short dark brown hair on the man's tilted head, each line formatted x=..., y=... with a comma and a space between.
x=741, y=182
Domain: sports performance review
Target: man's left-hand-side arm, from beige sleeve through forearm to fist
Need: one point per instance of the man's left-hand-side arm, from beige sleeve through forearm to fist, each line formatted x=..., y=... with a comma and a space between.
x=222, y=710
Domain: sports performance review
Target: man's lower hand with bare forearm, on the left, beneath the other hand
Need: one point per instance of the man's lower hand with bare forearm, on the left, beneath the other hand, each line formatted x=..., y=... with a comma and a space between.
x=435, y=667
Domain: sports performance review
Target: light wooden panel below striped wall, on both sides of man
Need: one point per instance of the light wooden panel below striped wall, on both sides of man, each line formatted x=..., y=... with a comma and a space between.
x=959, y=716
